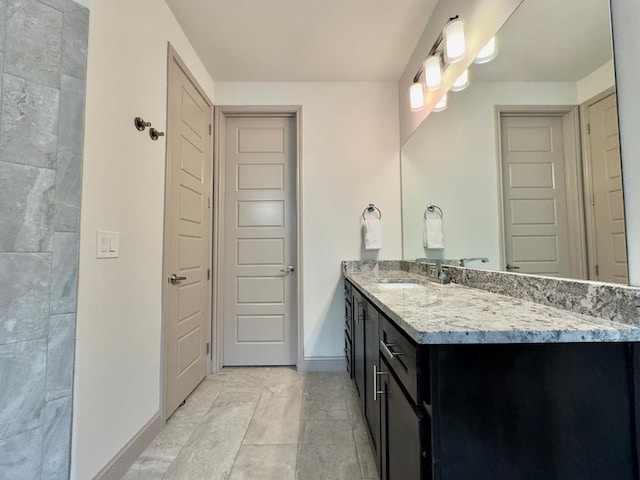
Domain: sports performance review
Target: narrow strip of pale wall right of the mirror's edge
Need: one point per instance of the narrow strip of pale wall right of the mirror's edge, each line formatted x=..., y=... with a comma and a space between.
x=625, y=16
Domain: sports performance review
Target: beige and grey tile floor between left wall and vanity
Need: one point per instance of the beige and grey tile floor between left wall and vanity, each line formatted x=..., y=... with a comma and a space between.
x=263, y=424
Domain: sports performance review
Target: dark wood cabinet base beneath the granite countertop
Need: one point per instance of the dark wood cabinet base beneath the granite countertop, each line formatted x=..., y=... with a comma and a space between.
x=484, y=411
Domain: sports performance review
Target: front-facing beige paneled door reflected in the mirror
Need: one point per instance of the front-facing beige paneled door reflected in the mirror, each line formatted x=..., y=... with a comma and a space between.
x=534, y=195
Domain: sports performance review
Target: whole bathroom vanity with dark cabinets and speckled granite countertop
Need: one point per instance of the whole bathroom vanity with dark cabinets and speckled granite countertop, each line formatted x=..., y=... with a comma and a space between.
x=458, y=383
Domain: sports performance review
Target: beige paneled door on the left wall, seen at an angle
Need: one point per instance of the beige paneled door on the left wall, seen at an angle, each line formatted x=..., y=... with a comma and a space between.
x=187, y=226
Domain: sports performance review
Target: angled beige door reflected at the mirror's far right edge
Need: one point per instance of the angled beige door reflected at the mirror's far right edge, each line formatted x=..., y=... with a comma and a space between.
x=607, y=200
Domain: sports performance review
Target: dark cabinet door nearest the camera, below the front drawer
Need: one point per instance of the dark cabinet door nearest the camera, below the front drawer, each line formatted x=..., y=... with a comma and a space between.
x=400, y=429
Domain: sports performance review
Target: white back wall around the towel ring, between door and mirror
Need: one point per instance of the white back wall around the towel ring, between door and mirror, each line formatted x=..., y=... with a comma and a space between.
x=350, y=158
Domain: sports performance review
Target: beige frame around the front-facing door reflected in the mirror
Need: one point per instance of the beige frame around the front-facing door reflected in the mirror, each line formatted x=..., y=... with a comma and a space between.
x=573, y=178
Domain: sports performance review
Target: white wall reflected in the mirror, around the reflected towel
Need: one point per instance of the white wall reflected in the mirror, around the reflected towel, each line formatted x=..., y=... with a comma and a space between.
x=451, y=161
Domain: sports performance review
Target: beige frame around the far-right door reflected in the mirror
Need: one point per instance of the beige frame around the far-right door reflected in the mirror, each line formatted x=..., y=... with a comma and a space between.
x=588, y=181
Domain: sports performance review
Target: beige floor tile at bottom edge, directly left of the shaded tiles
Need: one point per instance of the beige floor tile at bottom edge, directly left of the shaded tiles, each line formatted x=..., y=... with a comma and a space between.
x=265, y=462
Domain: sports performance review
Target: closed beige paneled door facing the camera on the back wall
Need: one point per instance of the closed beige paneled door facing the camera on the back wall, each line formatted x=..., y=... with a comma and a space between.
x=260, y=281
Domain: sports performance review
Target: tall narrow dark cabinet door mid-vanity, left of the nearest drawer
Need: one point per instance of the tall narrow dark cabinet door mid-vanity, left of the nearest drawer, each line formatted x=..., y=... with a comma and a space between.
x=372, y=402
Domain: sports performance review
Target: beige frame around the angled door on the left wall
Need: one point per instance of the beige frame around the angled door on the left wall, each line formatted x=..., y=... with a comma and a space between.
x=173, y=56
